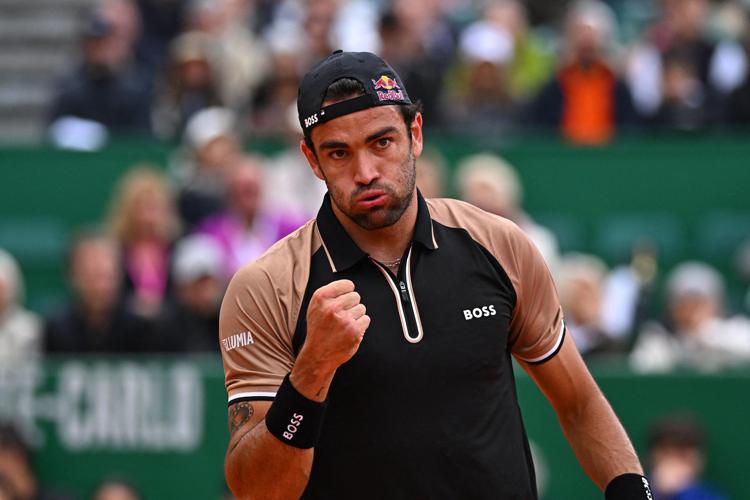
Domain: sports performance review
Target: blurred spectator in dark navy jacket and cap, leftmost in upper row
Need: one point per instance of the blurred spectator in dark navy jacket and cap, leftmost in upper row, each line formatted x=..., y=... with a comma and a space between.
x=107, y=87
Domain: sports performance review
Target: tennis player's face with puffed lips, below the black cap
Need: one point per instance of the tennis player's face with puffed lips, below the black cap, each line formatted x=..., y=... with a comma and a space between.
x=367, y=160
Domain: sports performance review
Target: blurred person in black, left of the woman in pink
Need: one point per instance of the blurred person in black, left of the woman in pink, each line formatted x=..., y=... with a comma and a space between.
x=96, y=320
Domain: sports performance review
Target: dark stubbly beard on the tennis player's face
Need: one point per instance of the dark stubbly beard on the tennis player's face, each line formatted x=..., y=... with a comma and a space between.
x=391, y=213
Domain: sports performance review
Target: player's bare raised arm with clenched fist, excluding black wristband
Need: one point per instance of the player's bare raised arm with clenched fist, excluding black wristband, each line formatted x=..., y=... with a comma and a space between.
x=258, y=465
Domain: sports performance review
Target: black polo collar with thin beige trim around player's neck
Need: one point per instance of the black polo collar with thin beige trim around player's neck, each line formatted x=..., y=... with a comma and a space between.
x=341, y=250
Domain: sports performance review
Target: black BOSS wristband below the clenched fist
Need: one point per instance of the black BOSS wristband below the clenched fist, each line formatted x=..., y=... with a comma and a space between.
x=294, y=419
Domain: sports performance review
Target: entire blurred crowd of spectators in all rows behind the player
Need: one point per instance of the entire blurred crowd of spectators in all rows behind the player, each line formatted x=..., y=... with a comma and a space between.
x=149, y=274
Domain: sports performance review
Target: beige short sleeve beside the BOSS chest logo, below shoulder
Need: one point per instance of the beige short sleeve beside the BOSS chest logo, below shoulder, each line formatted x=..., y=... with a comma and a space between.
x=537, y=327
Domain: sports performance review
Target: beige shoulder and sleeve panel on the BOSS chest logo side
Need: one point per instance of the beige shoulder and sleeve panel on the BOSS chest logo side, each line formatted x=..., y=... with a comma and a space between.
x=536, y=328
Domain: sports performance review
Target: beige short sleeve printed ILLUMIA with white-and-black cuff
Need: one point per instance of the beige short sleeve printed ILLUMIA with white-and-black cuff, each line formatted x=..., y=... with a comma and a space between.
x=254, y=335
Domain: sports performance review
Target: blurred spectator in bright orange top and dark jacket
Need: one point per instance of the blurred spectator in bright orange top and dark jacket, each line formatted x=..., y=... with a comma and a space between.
x=587, y=100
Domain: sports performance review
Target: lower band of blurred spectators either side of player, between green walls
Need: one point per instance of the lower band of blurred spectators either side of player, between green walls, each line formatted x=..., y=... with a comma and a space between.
x=150, y=273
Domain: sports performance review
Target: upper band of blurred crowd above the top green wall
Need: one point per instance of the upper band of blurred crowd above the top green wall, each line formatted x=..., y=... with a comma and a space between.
x=586, y=68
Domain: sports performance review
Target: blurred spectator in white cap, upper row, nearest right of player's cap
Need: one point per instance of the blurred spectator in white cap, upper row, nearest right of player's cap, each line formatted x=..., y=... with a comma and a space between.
x=482, y=103
